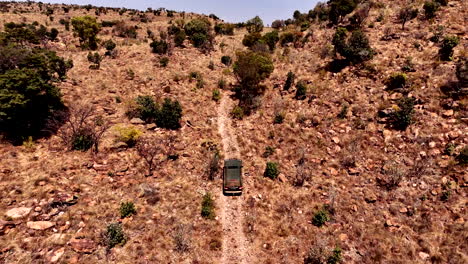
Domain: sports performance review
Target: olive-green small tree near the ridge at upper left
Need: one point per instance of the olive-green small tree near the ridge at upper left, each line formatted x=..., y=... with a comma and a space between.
x=87, y=29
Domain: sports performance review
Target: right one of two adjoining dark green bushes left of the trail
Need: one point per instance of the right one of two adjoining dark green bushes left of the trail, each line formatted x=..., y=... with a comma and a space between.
x=169, y=115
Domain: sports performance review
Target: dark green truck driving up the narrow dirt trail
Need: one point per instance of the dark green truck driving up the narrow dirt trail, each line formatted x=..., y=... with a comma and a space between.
x=232, y=177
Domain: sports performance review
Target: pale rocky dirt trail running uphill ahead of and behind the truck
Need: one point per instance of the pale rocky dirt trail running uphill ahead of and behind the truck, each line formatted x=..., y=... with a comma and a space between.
x=234, y=248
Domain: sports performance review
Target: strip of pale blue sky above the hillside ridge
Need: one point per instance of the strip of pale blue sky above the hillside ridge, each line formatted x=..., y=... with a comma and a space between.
x=230, y=11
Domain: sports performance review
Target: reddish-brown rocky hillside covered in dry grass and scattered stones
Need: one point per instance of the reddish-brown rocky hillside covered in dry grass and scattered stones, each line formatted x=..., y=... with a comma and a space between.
x=336, y=154
